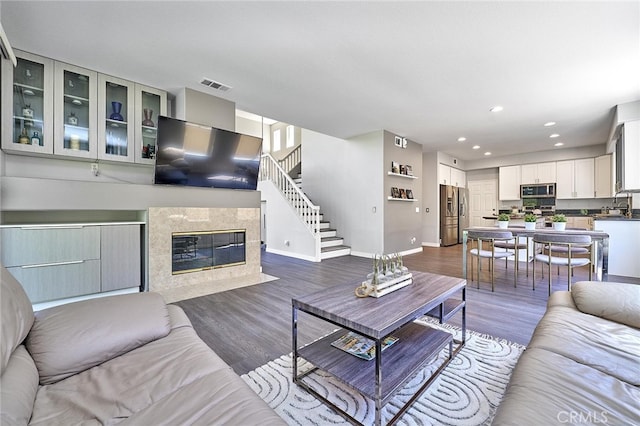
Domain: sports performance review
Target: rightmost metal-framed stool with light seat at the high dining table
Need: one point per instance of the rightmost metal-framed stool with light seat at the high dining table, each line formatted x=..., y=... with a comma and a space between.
x=561, y=244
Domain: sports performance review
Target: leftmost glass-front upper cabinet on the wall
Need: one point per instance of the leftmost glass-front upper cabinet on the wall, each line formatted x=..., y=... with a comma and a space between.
x=27, y=115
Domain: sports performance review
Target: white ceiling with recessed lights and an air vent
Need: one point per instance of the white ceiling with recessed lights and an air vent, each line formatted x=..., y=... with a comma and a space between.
x=427, y=71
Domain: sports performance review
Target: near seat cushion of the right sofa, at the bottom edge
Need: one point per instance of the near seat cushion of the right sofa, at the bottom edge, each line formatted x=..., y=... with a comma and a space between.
x=547, y=388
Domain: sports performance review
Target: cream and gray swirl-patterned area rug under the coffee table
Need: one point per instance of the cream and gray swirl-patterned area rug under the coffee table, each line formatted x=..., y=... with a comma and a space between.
x=466, y=393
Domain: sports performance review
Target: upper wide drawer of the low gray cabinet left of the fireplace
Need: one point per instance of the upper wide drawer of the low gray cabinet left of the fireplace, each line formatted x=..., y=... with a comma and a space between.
x=42, y=245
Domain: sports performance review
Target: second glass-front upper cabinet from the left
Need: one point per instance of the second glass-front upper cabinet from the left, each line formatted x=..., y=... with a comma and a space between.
x=76, y=113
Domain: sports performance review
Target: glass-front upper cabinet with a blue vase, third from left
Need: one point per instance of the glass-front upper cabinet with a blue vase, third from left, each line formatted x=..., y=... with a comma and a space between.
x=115, y=119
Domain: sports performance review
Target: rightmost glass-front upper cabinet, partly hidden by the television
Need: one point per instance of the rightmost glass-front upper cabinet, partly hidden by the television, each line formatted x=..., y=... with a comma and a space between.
x=150, y=103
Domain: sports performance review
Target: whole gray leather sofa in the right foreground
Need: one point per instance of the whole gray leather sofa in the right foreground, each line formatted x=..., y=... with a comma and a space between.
x=582, y=365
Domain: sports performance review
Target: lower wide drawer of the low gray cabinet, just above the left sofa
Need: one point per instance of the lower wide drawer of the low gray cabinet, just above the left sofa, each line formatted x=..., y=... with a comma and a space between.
x=44, y=283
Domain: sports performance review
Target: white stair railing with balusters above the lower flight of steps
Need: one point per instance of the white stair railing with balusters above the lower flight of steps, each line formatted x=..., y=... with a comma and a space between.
x=306, y=210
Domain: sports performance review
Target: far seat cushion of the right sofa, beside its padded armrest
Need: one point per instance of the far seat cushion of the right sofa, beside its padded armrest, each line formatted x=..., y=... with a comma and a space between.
x=607, y=346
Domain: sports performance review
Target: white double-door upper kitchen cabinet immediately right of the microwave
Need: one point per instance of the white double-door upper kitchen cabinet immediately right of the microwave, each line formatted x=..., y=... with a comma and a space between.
x=575, y=179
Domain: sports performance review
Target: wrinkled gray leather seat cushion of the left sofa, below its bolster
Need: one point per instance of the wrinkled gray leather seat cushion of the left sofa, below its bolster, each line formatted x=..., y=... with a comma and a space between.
x=174, y=378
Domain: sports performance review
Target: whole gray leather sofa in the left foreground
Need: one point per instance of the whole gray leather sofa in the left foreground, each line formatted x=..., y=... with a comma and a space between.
x=127, y=359
